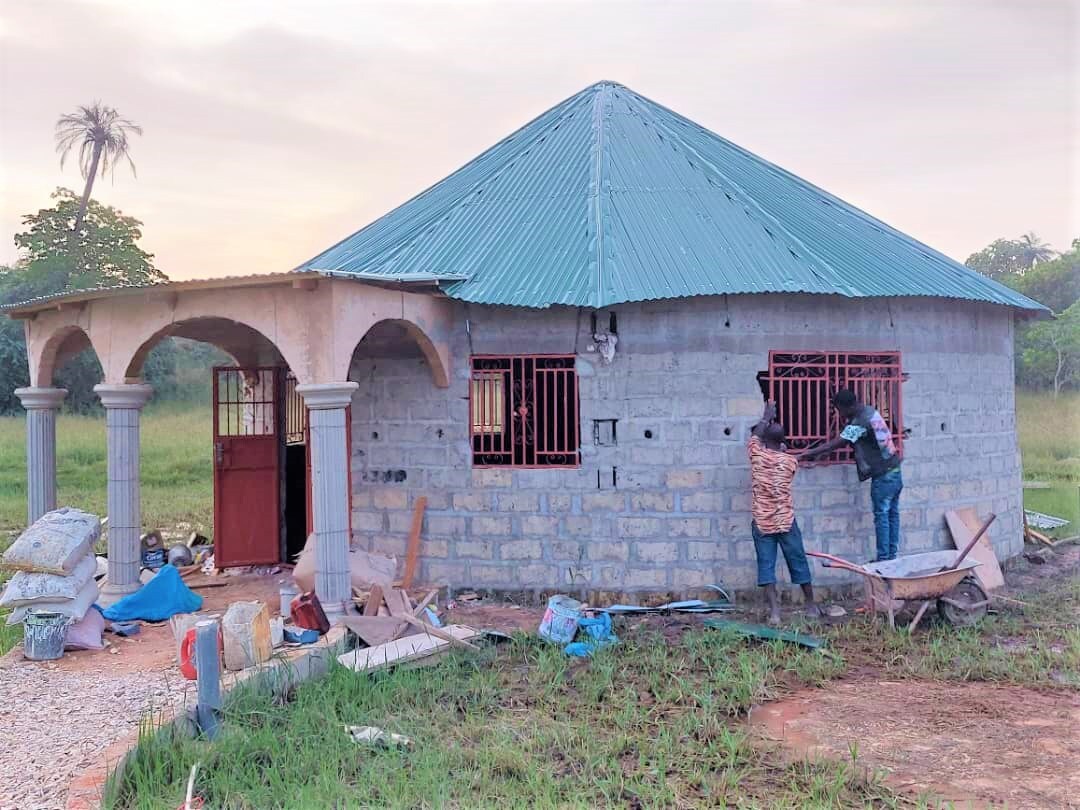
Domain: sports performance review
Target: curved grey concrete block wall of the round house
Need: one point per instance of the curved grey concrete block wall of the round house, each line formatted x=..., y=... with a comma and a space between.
x=668, y=508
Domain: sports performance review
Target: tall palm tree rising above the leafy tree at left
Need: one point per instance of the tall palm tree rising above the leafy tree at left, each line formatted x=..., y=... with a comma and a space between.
x=102, y=137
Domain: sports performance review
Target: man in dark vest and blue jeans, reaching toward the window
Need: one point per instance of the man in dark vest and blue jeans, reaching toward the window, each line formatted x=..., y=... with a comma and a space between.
x=876, y=458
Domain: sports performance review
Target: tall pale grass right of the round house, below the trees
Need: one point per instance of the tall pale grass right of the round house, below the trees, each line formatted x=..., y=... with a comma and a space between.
x=1049, y=437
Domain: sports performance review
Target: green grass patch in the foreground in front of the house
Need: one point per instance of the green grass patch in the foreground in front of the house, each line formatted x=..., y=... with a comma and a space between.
x=646, y=724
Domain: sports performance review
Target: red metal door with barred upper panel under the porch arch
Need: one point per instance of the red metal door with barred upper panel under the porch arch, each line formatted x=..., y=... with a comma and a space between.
x=247, y=487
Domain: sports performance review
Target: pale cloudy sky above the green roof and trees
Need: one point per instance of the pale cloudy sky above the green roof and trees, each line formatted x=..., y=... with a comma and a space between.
x=275, y=128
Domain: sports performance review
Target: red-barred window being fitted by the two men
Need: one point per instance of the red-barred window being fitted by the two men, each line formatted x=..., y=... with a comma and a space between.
x=803, y=386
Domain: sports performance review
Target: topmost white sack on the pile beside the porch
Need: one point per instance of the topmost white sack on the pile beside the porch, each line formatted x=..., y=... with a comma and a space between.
x=55, y=544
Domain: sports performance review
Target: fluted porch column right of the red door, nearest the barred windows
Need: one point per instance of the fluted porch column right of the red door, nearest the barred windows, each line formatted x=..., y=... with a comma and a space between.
x=330, y=485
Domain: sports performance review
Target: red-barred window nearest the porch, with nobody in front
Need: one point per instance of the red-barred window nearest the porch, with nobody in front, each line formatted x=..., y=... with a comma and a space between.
x=523, y=411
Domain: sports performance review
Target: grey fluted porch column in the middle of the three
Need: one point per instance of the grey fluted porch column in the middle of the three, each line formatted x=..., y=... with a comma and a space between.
x=123, y=407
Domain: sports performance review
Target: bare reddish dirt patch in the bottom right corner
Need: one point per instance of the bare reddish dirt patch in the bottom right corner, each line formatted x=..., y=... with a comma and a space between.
x=976, y=745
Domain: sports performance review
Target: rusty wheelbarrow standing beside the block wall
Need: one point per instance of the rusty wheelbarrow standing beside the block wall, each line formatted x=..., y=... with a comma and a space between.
x=944, y=577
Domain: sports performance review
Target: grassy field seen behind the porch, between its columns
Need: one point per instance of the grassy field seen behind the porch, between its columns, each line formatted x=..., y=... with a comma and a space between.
x=175, y=457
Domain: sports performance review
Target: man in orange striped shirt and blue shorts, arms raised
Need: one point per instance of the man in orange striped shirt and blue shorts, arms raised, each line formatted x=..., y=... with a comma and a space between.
x=772, y=471
